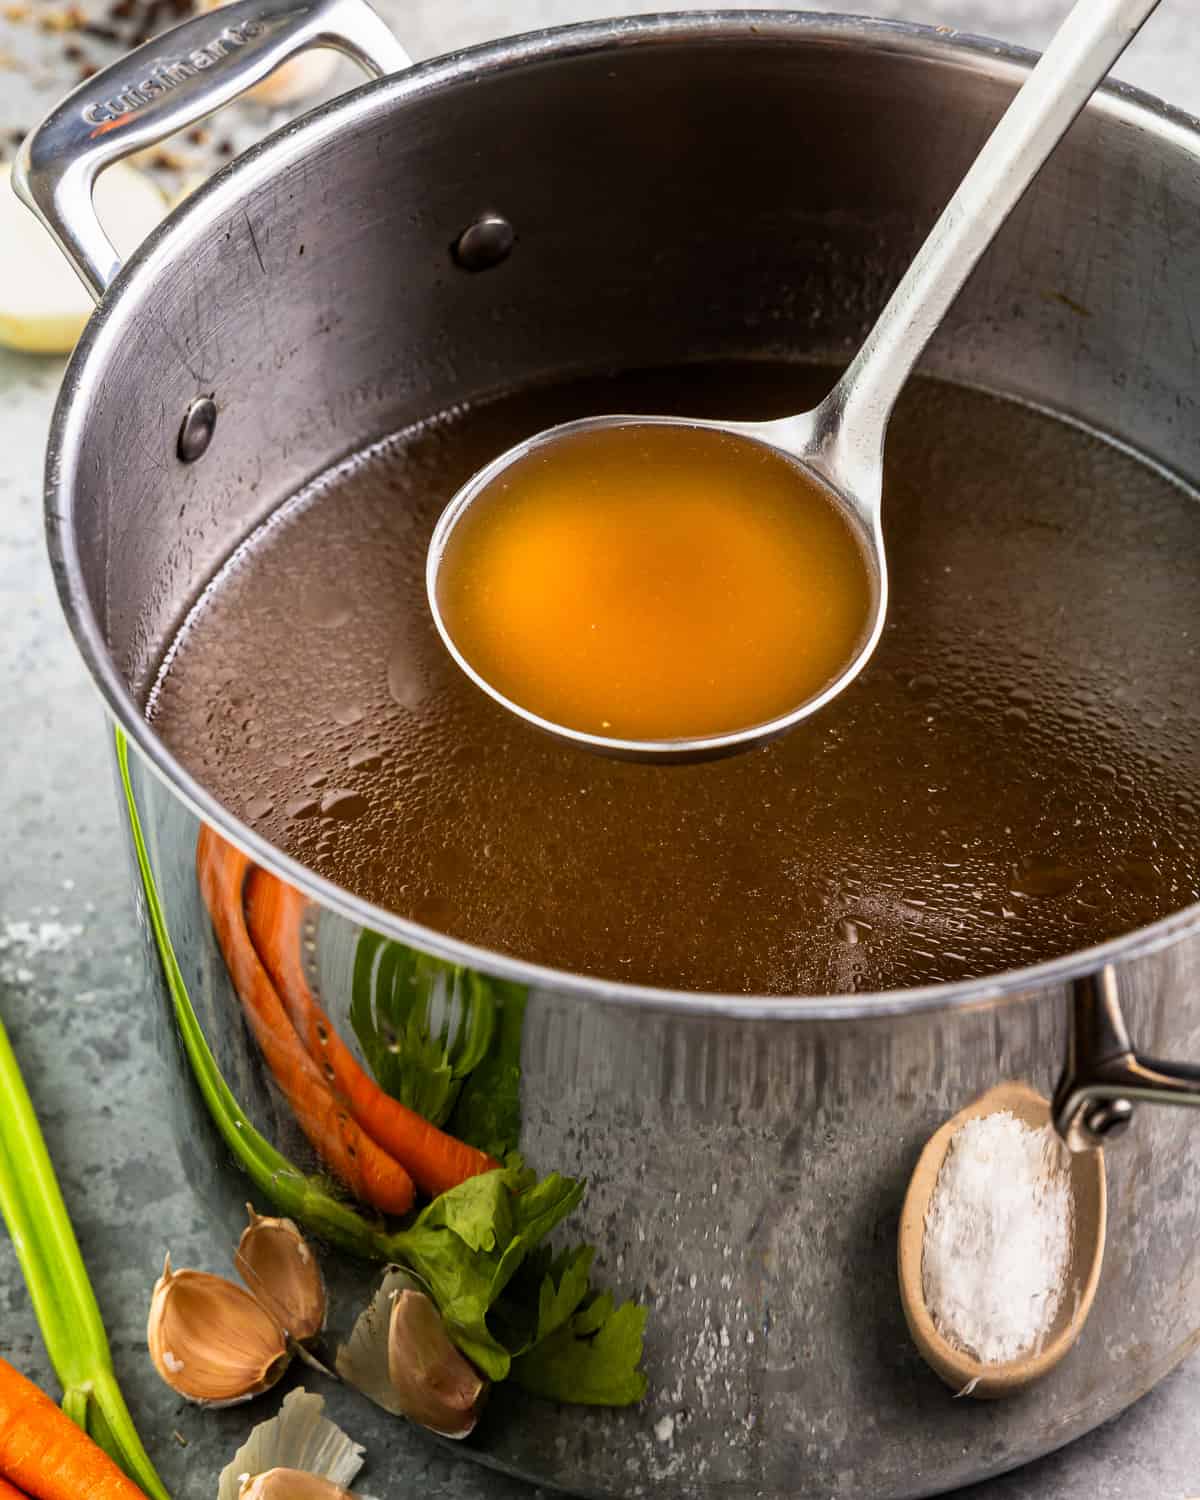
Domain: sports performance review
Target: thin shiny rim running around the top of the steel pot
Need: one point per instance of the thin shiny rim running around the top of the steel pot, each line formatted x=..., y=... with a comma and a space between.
x=290, y=145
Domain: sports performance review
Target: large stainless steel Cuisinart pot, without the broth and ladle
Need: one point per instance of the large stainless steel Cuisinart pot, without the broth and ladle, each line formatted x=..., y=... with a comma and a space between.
x=677, y=188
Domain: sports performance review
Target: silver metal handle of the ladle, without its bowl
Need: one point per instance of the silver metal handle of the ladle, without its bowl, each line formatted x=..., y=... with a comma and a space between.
x=853, y=419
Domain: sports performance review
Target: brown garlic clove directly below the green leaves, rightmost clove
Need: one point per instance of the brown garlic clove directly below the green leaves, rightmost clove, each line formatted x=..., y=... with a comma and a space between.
x=436, y=1385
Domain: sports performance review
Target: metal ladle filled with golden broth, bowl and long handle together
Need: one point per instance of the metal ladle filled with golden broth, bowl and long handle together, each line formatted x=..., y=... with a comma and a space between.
x=542, y=667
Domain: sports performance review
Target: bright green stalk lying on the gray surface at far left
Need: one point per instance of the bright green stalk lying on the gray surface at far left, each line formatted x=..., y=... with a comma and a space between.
x=64, y=1301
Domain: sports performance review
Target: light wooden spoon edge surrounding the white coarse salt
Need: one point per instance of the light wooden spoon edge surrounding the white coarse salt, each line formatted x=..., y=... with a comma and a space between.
x=961, y=1372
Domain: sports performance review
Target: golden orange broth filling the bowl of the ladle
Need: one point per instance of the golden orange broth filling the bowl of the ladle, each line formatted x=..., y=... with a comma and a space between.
x=656, y=583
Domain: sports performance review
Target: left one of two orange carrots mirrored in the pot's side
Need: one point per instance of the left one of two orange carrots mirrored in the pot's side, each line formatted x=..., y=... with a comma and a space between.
x=343, y=1145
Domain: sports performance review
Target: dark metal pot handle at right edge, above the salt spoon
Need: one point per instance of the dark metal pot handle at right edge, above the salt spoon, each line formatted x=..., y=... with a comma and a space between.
x=1105, y=1075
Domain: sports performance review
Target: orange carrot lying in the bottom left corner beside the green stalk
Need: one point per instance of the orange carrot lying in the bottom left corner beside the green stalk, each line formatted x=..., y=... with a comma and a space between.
x=44, y=1456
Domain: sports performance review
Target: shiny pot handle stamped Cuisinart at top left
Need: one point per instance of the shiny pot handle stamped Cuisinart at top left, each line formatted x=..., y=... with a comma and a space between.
x=166, y=86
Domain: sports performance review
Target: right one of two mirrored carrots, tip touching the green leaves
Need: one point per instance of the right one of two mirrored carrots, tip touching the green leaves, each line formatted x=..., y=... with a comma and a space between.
x=275, y=914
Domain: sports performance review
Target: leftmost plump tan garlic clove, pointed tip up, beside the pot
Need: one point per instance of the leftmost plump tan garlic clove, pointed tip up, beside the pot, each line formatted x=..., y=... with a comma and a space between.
x=211, y=1342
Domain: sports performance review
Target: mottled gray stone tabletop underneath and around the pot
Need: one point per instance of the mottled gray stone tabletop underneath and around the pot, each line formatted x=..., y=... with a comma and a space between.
x=73, y=986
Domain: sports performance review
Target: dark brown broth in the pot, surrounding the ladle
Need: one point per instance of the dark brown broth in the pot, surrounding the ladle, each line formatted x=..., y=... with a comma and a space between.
x=1013, y=776
